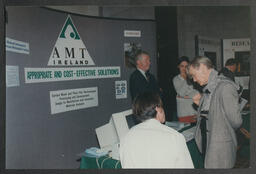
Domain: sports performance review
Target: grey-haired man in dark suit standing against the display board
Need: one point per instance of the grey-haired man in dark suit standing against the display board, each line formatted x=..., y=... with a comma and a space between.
x=141, y=80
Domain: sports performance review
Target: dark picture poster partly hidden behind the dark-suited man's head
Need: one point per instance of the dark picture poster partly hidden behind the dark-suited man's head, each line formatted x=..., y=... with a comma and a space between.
x=130, y=50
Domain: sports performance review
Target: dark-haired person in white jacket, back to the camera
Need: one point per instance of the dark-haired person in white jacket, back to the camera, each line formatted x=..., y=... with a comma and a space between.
x=152, y=144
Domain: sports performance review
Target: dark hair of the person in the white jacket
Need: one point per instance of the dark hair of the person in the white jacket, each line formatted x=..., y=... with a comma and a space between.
x=144, y=105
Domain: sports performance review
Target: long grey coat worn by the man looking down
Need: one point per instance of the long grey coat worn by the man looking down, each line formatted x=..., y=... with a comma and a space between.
x=223, y=118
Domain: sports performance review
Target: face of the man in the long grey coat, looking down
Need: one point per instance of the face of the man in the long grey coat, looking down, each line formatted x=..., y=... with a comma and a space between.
x=200, y=75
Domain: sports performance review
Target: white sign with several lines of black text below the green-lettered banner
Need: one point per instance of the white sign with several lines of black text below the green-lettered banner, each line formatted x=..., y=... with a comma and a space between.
x=73, y=99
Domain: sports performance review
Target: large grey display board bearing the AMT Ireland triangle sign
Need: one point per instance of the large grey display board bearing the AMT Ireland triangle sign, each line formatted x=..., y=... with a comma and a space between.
x=65, y=76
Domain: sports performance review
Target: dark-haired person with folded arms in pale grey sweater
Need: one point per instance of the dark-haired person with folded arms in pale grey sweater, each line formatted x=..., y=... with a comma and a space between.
x=185, y=93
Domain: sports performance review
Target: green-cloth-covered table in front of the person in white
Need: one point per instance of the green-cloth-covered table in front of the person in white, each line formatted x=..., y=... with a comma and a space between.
x=108, y=163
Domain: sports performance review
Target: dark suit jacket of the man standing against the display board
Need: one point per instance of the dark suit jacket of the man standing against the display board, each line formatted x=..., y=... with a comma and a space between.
x=139, y=84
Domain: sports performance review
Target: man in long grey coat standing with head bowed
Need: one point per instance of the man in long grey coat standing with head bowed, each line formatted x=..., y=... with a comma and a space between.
x=218, y=115
